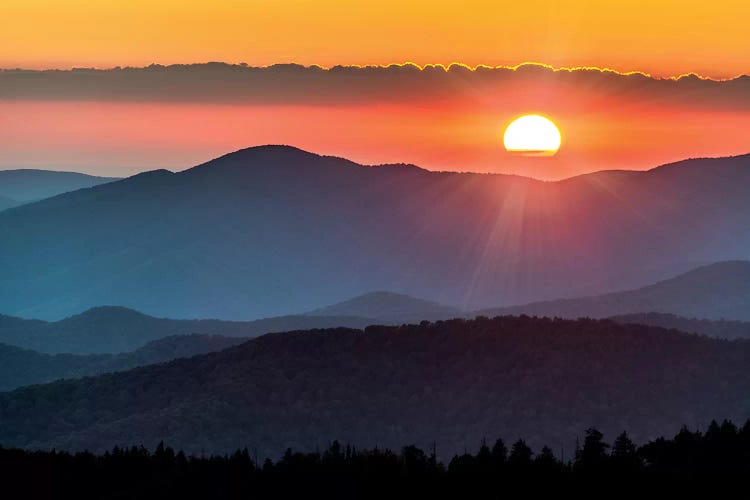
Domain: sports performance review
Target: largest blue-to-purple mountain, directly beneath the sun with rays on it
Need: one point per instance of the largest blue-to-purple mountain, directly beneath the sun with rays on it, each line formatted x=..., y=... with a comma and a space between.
x=273, y=230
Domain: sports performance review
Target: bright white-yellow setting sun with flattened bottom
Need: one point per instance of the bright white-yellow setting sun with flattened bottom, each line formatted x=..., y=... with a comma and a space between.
x=533, y=135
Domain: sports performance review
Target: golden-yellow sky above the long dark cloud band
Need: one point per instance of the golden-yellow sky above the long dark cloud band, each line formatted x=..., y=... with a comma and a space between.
x=661, y=37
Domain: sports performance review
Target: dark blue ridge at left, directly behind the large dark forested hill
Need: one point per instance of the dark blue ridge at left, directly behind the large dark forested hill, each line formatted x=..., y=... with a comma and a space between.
x=19, y=367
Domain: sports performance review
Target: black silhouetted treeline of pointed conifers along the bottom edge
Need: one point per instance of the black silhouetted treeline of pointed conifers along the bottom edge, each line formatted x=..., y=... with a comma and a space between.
x=712, y=459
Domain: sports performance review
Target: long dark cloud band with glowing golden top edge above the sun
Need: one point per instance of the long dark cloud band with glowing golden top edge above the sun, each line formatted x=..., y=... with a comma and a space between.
x=352, y=85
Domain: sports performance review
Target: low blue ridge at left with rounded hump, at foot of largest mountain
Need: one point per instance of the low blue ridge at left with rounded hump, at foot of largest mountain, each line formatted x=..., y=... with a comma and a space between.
x=118, y=329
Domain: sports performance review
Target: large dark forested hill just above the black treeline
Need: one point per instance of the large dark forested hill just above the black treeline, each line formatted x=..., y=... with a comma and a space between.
x=451, y=382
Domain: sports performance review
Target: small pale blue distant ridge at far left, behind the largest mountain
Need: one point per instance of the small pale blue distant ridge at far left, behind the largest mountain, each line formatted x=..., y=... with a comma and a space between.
x=26, y=185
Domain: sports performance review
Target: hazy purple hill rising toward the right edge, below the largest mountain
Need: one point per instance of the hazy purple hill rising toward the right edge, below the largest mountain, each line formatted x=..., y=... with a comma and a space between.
x=716, y=291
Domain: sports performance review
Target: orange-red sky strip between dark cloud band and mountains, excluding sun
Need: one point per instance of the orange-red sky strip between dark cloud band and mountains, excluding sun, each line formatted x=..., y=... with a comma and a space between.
x=123, y=138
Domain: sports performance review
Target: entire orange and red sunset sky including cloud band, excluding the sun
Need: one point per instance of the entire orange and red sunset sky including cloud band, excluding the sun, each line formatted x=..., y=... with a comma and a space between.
x=115, y=122
